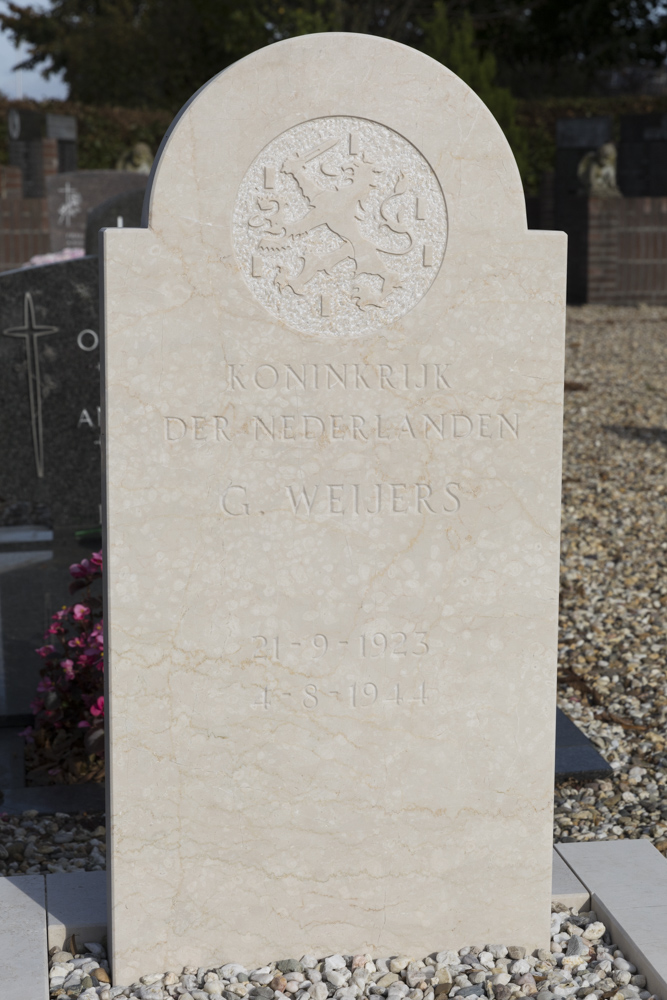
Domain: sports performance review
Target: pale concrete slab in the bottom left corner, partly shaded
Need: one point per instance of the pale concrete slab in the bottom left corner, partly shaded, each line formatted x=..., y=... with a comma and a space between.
x=24, y=971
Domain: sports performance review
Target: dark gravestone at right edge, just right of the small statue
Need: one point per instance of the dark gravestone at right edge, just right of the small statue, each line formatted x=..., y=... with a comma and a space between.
x=642, y=156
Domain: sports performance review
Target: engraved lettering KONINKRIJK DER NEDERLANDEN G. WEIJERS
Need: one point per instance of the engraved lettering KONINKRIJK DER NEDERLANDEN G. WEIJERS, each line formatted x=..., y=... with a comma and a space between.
x=306, y=426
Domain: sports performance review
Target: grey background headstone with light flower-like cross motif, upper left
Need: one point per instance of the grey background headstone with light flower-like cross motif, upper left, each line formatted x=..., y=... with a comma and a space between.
x=71, y=196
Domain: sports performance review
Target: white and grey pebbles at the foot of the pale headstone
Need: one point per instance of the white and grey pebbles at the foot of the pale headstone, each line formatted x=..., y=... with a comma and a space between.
x=581, y=962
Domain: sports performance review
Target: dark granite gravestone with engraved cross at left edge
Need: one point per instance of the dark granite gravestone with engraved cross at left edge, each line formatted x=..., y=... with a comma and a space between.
x=50, y=480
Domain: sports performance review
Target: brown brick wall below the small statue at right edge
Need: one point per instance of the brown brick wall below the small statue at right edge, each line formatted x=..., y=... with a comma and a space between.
x=627, y=250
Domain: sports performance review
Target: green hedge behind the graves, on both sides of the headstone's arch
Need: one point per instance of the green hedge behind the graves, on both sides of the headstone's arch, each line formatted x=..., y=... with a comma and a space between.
x=104, y=133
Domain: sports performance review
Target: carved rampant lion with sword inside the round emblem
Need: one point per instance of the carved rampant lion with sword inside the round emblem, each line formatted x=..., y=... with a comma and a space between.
x=341, y=208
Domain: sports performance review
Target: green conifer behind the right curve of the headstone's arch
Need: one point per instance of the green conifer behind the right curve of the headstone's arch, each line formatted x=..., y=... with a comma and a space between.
x=453, y=44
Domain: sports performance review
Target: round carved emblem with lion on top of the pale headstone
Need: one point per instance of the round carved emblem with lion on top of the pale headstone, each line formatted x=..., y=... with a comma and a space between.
x=340, y=226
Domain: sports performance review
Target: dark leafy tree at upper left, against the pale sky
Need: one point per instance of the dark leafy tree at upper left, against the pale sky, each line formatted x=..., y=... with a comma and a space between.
x=150, y=53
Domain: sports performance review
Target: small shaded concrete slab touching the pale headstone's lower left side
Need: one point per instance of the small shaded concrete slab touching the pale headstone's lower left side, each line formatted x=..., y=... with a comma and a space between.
x=76, y=904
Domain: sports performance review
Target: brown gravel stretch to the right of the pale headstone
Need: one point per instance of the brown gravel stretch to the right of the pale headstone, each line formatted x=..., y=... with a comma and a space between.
x=613, y=627
